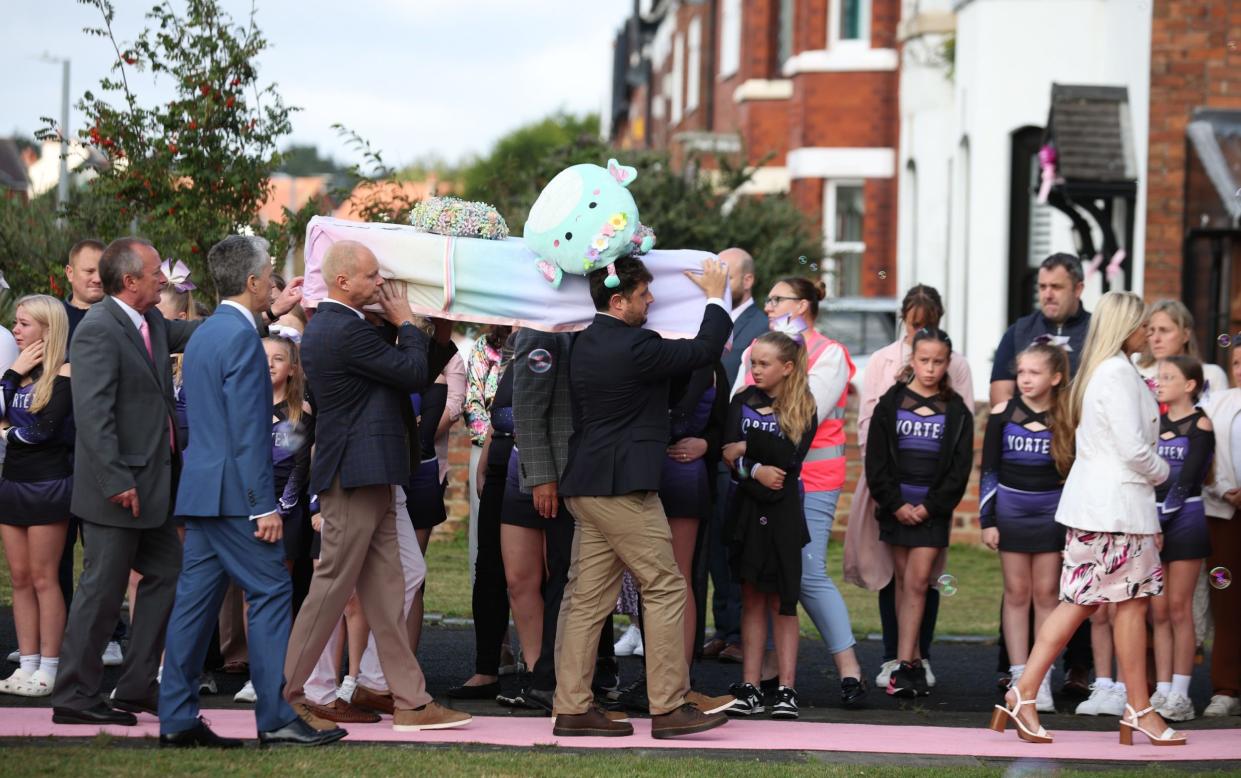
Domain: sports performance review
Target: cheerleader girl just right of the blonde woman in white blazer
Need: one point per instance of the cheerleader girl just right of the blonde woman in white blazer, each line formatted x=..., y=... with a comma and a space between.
x=1187, y=444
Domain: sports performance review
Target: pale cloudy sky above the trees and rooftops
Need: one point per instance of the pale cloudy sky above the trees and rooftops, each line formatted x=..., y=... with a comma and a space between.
x=415, y=78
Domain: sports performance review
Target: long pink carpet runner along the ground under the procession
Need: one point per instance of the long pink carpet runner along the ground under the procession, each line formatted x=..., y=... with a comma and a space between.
x=523, y=731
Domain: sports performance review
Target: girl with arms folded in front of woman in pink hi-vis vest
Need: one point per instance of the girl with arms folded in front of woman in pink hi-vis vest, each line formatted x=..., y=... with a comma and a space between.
x=770, y=430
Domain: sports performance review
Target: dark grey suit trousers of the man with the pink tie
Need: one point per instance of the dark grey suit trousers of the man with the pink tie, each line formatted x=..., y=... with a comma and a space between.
x=109, y=557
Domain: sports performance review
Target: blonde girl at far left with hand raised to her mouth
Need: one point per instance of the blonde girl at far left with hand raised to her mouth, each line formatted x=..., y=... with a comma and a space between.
x=37, y=486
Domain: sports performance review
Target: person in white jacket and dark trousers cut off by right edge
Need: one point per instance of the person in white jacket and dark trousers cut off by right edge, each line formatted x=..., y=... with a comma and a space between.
x=1224, y=522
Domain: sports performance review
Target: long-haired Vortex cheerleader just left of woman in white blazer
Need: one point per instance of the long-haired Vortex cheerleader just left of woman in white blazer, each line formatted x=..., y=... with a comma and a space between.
x=1027, y=451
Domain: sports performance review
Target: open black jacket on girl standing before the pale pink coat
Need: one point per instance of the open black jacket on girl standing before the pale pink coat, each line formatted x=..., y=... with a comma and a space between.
x=951, y=477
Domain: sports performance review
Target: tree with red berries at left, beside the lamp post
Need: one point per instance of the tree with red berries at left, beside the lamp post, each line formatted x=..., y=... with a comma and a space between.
x=189, y=172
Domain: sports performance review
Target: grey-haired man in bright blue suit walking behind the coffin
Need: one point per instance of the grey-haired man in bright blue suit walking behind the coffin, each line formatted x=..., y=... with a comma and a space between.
x=229, y=499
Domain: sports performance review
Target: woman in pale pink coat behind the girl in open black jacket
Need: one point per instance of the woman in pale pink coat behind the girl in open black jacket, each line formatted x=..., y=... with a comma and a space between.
x=868, y=561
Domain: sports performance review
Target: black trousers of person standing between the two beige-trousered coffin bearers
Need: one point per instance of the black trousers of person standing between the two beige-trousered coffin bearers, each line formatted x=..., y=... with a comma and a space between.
x=491, y=597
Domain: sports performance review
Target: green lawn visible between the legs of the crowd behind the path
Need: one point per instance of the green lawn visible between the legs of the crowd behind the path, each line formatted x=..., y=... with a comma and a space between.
x=972, y=611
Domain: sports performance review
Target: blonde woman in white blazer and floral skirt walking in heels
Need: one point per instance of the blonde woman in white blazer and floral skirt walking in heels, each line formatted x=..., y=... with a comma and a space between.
x=1109, y=507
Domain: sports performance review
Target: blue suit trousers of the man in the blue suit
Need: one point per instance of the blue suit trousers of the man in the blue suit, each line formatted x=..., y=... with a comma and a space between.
x=219, y=550
